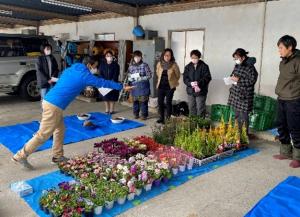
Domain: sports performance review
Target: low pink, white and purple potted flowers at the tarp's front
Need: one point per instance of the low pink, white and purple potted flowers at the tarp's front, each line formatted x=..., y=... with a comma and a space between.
x=104, y=179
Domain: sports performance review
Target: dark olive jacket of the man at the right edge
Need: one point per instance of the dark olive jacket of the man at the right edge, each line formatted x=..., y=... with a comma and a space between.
x=288, y=84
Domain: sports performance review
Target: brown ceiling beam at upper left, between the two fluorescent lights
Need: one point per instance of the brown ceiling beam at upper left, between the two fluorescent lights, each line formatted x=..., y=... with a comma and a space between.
x=46, y=14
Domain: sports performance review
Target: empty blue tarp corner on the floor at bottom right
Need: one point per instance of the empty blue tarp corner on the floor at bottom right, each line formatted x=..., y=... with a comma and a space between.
x=282, y=201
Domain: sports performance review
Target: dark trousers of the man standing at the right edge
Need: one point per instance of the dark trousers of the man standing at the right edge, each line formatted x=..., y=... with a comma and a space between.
x=288, y=122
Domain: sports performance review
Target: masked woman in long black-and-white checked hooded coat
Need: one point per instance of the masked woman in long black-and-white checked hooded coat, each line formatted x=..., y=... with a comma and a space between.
x=242, y=93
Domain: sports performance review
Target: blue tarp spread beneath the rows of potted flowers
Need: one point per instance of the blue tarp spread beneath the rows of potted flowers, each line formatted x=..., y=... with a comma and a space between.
x=52, y=179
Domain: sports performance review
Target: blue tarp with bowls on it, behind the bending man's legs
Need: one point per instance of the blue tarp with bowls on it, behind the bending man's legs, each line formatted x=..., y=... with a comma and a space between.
x=14, y=137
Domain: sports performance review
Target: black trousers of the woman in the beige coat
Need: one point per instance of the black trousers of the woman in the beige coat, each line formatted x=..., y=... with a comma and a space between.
x=162, y=95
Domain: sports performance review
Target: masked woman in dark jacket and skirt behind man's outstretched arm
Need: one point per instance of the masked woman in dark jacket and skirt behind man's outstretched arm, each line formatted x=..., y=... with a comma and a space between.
x=110, y=70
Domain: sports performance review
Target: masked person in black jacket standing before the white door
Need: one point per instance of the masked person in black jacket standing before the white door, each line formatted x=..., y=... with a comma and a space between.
x=196, y=77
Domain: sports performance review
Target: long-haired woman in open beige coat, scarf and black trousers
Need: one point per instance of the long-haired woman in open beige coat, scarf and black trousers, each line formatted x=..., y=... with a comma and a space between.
x=168, y=75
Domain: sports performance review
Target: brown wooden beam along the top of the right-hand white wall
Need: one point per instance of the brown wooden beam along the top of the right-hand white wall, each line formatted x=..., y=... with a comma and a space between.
x=191, y=5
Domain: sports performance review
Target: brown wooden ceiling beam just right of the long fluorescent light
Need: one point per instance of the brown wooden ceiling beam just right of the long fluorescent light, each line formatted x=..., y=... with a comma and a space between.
x=106, y=6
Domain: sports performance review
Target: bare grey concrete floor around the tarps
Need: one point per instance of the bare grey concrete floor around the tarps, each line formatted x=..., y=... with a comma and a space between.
x=229, y=191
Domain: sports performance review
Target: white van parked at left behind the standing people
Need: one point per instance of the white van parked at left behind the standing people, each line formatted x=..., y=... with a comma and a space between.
x=18, y=56
